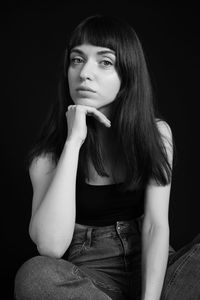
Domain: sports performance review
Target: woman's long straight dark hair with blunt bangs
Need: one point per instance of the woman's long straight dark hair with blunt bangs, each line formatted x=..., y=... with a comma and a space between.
x=139, y=145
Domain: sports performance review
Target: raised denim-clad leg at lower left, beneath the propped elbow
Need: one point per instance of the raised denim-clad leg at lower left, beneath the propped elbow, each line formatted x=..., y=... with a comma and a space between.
x=50, y=278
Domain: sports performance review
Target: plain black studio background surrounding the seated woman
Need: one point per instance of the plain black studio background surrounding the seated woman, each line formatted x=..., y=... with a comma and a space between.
x=33, y=38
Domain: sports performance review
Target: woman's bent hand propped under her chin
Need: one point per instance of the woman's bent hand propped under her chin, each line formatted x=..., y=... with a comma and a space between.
x=76, y=121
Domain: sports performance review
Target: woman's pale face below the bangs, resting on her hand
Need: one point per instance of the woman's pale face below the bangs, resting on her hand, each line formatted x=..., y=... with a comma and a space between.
x=92, y=76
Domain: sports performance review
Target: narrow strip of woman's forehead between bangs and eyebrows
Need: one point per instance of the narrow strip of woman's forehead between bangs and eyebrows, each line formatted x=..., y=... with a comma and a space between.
x=92, y=49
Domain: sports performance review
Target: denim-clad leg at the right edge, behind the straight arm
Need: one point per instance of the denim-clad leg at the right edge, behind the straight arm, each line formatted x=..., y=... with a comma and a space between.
x=182, y=280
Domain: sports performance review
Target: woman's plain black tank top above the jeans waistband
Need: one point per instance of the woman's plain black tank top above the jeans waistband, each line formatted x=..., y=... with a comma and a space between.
x=102, y=205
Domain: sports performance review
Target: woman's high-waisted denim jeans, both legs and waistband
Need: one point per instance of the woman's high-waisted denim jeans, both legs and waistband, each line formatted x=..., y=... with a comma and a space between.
x=105, y=263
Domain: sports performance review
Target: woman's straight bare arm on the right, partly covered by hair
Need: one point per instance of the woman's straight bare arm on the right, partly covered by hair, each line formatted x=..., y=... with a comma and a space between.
x=155, y=231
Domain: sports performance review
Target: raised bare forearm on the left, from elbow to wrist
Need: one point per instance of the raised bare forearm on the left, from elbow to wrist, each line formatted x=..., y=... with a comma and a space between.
x=52, y=225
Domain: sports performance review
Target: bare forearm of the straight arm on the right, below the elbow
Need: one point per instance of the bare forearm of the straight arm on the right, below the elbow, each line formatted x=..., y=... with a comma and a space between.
x=154, y=261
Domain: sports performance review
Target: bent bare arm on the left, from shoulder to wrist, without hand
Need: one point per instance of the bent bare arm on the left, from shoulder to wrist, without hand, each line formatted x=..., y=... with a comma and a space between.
x=53, y=209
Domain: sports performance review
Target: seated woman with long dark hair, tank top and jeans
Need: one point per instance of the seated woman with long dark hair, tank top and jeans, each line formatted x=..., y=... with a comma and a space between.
x=101, y=173
